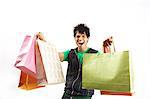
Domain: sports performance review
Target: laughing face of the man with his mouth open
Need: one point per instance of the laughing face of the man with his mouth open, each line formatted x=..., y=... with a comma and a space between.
x=81, y=39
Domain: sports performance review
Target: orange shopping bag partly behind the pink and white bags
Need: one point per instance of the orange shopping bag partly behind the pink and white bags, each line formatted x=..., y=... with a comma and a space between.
x=28, y=82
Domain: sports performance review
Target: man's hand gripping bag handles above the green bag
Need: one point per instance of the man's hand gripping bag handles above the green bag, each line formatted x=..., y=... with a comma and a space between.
x=106, y=45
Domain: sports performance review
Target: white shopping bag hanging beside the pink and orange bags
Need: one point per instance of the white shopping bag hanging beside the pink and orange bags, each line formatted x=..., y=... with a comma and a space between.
x=51, y=61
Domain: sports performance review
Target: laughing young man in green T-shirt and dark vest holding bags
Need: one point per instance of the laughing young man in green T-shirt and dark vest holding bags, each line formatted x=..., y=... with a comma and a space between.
x=73, y=85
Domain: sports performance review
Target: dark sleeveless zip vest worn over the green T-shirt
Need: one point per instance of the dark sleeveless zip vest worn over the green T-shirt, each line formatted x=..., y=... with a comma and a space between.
x=73, y=84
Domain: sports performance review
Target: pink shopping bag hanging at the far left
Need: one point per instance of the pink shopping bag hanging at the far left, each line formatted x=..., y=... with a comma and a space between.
x=26, y=58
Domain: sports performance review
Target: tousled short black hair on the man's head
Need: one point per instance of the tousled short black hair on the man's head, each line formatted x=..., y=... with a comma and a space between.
x=82, y=28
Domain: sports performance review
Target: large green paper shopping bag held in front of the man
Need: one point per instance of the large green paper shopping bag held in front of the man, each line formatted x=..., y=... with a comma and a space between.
x=108, y=71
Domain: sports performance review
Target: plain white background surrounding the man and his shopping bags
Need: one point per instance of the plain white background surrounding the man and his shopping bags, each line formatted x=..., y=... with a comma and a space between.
x=128, y=21
